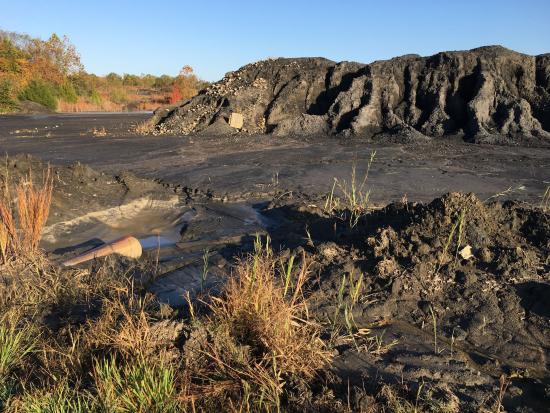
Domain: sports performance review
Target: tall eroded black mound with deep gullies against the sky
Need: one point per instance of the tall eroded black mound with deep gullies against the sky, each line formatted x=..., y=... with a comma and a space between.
x=489, y=94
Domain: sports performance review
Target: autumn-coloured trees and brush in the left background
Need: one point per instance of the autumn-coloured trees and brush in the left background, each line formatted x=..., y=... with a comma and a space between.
x=49, y=72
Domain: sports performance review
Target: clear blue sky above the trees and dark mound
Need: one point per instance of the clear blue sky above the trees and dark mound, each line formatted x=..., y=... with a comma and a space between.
x=214, y=37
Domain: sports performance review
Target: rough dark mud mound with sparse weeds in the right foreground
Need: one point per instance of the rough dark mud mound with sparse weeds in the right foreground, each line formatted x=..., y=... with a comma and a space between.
x=459, y=288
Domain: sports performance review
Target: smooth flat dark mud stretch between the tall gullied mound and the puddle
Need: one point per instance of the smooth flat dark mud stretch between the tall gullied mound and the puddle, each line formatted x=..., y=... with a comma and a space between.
x=241, y=167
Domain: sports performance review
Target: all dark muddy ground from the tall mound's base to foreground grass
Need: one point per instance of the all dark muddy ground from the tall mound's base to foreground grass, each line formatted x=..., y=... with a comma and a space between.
x=433, y=293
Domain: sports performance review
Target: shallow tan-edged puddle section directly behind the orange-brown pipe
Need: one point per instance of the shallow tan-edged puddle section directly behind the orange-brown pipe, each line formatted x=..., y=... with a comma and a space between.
x=157, y=224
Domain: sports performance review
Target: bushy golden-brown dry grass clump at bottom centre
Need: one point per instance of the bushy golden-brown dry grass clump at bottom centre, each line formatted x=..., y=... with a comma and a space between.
x=256, y=341
